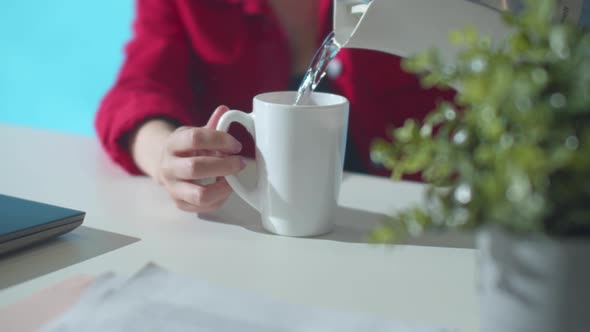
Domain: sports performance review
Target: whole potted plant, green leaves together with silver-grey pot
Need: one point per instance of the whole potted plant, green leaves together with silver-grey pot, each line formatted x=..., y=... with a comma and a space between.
x=508, y=158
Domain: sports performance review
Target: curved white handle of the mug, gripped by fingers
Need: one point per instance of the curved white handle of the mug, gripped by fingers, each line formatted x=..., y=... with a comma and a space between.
x=246, y=120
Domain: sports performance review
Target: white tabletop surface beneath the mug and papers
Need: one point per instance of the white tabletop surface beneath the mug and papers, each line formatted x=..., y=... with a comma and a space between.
x=433, y=284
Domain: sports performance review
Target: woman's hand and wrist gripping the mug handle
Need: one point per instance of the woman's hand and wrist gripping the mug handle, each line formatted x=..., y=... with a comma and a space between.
x=189, y=155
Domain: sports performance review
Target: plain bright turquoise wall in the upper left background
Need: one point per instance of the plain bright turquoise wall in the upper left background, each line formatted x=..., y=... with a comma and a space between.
x=58, y=58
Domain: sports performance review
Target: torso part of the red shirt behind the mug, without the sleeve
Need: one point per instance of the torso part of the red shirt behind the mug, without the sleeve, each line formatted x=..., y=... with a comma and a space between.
x=241, y=51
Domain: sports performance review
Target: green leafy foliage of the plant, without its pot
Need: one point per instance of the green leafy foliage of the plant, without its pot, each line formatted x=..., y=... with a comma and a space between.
x=513, y=147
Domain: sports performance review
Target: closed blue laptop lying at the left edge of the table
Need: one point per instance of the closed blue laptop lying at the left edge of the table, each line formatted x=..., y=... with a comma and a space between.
x=24, y=222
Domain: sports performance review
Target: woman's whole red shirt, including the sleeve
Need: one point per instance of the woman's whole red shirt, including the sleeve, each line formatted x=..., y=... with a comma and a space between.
x=187, y=57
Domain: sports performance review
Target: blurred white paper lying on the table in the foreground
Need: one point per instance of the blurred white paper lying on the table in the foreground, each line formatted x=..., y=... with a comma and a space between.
x=156, y=300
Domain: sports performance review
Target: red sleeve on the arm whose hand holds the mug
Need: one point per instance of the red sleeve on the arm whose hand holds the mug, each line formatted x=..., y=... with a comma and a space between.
x=153, y=81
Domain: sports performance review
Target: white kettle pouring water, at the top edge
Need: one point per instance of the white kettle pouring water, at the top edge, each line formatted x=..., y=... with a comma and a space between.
x=404, y=27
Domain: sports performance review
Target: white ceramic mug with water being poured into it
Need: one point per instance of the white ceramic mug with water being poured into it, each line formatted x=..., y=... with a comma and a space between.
x=299, y=156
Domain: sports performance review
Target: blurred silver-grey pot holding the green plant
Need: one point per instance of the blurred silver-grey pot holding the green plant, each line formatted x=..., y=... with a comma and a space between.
x=533, y=283
